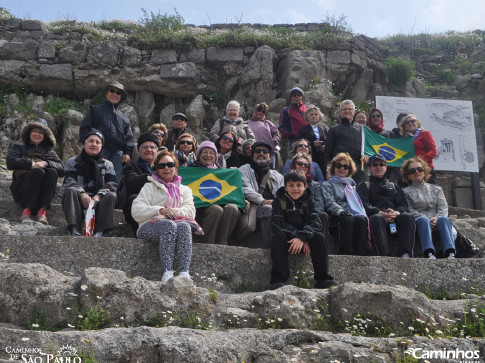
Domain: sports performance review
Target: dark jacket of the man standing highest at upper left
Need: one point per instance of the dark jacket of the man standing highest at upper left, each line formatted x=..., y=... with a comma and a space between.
x=112, y=123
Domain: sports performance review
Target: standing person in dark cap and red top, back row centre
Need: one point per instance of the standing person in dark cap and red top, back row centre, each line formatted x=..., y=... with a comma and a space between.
x=292, y=117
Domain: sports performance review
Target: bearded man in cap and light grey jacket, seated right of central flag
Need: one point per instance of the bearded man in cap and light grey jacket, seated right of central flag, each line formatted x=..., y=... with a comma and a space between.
x=260, y=184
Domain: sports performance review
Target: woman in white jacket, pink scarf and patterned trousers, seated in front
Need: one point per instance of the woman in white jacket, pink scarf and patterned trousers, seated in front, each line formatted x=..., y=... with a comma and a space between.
x=165, y=211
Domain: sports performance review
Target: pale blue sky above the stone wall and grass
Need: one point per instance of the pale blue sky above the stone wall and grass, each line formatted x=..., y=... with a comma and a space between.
x=374, y=18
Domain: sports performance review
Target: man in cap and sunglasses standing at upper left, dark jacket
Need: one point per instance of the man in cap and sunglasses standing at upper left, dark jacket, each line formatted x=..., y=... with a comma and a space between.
x=114, y=125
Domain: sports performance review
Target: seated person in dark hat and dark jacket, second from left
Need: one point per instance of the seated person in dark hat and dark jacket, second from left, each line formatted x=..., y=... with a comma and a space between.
x=88, y=178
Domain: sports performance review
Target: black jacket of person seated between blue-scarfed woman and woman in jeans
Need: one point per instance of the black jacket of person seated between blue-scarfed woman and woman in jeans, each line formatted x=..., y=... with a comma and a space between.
x=381, y=195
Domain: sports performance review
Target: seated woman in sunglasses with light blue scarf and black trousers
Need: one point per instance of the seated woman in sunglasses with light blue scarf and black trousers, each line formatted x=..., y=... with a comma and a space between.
x=343, y=204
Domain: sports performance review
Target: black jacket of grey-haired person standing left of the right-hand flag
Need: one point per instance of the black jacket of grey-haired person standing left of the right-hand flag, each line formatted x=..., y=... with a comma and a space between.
x=343, y=138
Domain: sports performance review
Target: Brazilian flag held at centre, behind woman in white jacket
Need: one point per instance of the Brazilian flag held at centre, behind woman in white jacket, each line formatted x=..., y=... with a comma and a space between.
x=214, y=186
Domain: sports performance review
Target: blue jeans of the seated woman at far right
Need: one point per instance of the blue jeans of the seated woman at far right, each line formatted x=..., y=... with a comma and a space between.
x=443, y=224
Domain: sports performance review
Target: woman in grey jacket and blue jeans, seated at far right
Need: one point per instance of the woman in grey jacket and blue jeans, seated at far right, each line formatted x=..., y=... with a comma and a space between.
x=427, y=204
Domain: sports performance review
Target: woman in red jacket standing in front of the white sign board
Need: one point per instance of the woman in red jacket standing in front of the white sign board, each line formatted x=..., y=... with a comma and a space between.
x=424, y=144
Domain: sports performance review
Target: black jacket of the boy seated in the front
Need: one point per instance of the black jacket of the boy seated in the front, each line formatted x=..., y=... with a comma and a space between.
x=300, y=220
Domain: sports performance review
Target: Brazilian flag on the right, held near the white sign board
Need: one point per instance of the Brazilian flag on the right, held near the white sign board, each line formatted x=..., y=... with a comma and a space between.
x=395, y=151
